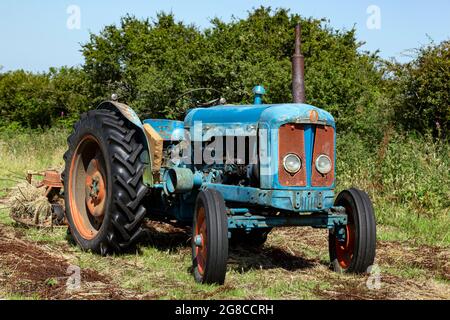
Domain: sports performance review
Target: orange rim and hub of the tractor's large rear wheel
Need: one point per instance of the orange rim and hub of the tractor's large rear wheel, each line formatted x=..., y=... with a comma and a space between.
x=87, y=188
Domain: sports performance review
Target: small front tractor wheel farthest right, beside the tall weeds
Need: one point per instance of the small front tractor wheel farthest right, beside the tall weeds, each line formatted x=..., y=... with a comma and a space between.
x=355, y=252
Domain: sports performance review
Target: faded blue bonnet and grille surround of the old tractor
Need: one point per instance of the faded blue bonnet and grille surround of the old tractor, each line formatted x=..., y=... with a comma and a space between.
x=268, y=118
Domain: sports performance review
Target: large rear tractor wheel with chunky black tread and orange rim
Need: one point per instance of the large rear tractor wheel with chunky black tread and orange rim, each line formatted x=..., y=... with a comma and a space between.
x=104, y=185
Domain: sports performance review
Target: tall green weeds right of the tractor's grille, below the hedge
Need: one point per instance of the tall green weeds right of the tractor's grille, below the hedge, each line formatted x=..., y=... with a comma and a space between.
x=405, y=170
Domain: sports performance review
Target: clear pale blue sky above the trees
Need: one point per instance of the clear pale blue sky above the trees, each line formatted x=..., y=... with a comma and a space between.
x=34, y=34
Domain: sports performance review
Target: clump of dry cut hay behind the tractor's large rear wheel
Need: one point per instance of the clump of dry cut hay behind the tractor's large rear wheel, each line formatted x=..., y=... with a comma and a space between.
x=29, y=205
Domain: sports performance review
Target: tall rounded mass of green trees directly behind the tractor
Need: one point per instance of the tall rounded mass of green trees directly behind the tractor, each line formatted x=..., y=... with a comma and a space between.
x=151, y=64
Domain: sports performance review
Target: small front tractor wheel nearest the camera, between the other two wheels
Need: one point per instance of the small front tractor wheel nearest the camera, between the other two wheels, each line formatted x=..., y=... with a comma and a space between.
x=210, y=238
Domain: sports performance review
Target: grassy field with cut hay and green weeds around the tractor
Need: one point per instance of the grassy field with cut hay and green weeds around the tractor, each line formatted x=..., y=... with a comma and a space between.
x=408, y=179
